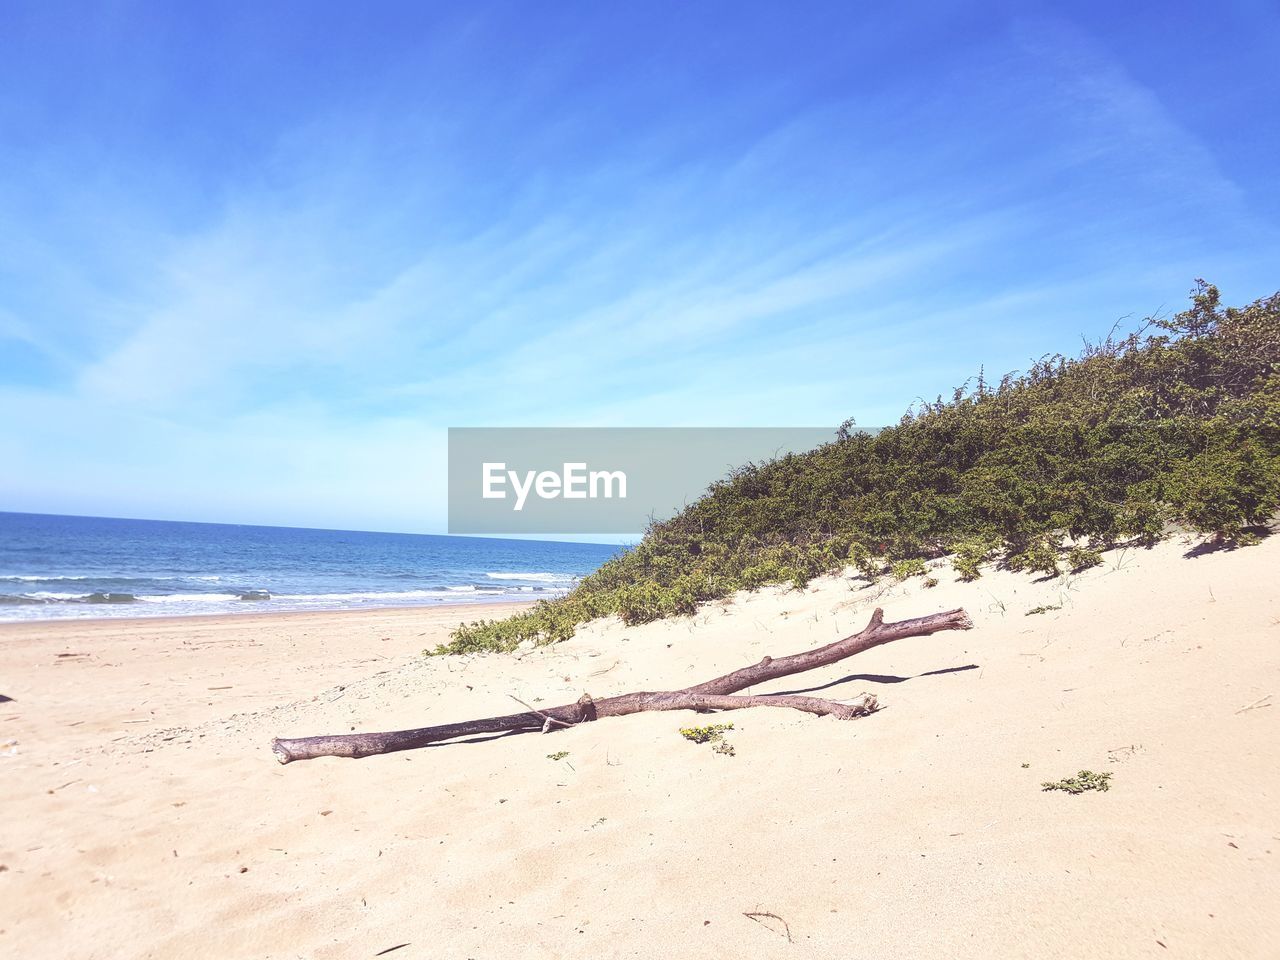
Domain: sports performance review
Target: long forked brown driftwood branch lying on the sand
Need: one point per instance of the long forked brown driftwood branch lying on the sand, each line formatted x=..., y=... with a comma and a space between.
x=714, y=696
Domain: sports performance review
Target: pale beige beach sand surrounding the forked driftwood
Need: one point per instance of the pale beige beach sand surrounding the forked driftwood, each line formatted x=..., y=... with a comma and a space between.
x=143, y=813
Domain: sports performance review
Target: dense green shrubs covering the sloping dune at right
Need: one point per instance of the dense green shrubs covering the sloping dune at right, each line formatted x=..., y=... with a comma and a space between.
x=1173, y=426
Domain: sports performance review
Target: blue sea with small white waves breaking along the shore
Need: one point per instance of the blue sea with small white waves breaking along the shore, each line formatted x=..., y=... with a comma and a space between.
x=56, y=566
